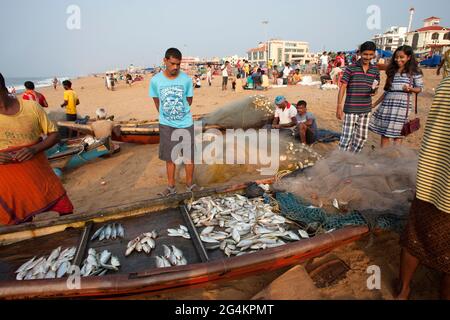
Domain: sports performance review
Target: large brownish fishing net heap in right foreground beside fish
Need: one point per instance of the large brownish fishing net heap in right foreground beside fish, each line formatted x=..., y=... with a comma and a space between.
x=379, y=185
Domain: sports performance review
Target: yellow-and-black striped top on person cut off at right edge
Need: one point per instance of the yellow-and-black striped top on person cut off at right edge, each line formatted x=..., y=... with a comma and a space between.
x=433, y=174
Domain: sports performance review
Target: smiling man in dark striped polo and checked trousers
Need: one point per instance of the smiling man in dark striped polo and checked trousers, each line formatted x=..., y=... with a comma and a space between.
x=359, y=83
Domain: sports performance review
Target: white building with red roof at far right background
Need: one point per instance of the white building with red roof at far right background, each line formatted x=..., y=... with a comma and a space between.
x=431, y=37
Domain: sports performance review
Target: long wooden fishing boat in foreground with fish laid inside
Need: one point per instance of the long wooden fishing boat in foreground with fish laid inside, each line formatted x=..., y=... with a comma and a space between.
x=138, y=274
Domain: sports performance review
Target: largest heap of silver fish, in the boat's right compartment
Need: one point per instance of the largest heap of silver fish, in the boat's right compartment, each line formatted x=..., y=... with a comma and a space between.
x=238, y=225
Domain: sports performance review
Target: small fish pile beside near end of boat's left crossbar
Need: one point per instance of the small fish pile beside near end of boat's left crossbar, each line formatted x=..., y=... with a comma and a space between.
x=98, y=264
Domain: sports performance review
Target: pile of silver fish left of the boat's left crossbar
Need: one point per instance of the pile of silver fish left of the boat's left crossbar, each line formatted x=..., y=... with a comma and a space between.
x=56, y=265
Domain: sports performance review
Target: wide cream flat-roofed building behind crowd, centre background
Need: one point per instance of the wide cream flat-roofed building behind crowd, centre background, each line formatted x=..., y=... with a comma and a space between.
x=280, y=51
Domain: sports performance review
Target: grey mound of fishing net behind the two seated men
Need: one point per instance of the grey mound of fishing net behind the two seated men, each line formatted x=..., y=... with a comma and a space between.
x=249, y=112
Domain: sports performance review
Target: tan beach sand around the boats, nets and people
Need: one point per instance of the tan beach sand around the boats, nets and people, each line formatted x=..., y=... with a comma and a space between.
x=137, y=174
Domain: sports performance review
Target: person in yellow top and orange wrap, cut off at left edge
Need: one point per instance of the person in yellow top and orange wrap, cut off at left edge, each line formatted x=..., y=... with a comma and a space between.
x=28, y=185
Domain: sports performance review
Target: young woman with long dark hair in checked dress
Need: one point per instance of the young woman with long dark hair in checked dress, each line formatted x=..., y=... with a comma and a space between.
x=403, y=78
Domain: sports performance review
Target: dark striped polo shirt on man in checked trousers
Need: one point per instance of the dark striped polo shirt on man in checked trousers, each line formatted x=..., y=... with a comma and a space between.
x=359, y=87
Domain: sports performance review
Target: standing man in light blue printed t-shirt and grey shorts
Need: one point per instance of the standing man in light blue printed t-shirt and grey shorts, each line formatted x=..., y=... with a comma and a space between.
x=172, y=91
